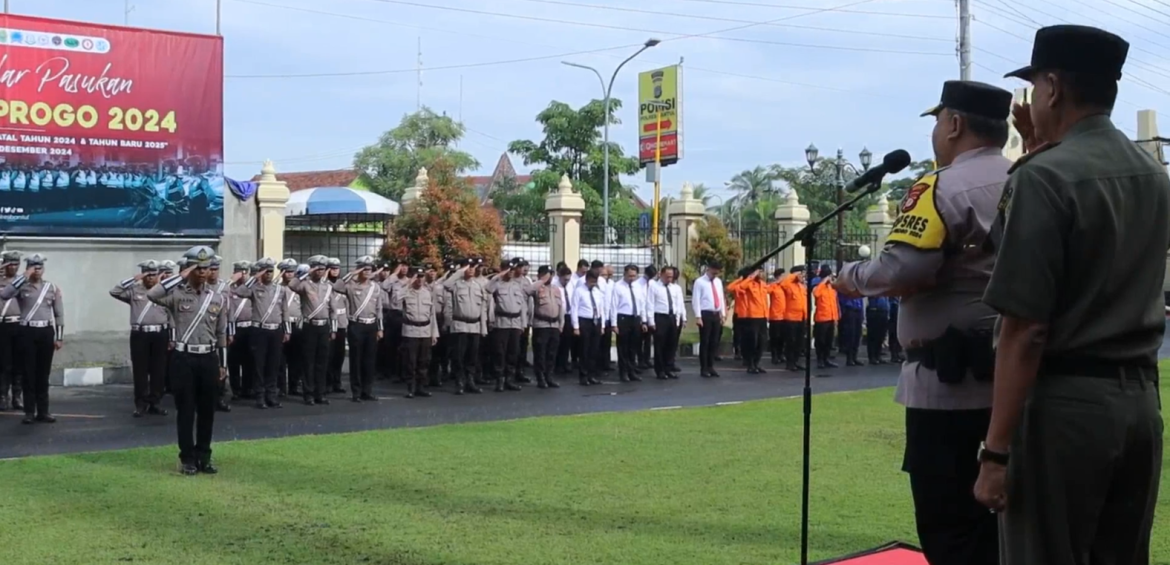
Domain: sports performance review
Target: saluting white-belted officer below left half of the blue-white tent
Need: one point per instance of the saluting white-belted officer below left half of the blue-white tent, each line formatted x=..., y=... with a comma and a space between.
x=319, y=328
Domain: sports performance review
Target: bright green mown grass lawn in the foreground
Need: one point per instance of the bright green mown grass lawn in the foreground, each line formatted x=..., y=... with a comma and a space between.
x=705, y=486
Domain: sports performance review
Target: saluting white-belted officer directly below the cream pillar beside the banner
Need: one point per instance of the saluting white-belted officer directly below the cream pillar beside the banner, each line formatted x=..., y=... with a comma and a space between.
x=271, y=329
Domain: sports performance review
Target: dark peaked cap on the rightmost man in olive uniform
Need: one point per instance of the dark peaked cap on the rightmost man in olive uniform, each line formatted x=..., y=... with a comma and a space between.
x=1082, y=50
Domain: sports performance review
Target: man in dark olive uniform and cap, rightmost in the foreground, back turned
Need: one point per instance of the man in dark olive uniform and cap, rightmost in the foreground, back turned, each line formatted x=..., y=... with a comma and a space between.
x=1073, y=456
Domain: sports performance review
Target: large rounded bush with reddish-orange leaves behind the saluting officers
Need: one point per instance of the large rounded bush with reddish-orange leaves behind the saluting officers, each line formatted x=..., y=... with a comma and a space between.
x=448, y=222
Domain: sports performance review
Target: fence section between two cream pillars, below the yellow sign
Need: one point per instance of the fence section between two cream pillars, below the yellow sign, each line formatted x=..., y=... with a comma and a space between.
x=627, y=244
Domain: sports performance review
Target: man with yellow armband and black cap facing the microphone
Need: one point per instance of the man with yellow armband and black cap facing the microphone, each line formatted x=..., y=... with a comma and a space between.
x=935, y=260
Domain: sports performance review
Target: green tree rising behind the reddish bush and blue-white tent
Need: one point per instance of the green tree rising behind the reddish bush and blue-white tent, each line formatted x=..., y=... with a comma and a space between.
x=421, y=140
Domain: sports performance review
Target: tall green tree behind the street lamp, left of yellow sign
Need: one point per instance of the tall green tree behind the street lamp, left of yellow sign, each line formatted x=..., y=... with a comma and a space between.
x=573, y=146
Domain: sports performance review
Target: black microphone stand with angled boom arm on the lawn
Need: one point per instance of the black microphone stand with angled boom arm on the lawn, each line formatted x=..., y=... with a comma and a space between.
x=808, y=239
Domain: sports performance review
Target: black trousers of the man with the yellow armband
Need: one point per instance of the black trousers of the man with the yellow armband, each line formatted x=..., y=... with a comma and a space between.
x=954, y=529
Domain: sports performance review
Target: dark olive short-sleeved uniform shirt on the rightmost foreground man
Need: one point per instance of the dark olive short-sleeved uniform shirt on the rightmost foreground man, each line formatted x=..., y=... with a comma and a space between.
x=1082, y=245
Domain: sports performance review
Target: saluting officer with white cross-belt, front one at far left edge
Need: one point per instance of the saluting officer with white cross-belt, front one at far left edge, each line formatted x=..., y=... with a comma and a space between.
x=43, y=333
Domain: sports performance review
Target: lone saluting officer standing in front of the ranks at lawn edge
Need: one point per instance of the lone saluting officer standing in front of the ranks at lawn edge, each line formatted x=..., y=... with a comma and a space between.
x=199, y=314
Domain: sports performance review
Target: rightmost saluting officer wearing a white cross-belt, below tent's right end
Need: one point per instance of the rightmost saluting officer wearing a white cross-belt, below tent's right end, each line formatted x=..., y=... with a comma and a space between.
x=363, y=304
